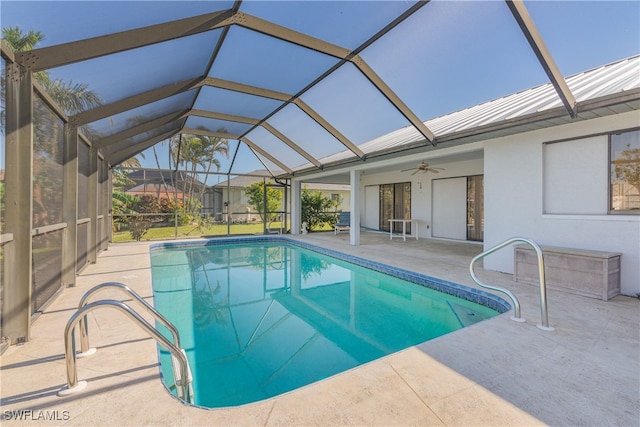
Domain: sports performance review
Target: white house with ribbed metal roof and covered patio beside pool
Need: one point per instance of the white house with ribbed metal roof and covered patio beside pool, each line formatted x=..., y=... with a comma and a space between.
x=527, y=170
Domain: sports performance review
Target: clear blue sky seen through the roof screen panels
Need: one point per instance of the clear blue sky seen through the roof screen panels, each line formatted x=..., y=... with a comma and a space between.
x=448, y=56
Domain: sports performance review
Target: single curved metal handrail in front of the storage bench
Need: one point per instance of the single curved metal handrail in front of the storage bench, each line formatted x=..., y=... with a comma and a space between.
x=544, y=325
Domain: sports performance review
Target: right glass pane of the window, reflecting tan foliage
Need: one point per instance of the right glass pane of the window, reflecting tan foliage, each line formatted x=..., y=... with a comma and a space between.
x=625, y=172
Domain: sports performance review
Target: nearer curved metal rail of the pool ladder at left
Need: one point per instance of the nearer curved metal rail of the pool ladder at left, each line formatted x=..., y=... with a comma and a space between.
x=74, y=386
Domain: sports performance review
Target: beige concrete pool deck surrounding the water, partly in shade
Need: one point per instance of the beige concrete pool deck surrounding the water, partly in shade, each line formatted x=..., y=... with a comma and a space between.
x=496, y=372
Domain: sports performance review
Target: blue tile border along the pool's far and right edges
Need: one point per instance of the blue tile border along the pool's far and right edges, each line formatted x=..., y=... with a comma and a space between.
x=464, y=292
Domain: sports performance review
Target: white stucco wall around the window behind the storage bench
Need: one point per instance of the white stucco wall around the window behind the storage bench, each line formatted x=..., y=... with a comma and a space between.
x=514, y=172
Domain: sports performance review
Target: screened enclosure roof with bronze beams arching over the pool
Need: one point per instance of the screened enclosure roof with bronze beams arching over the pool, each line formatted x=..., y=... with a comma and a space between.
x=296, y=86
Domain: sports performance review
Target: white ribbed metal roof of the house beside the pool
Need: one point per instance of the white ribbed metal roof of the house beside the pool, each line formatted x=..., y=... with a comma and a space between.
x=596, y=90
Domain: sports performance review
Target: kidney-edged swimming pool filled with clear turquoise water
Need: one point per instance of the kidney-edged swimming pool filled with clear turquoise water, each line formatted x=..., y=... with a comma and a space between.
x=262, y=316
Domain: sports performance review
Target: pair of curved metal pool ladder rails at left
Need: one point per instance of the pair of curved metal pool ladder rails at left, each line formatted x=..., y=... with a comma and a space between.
x=180, y=364
